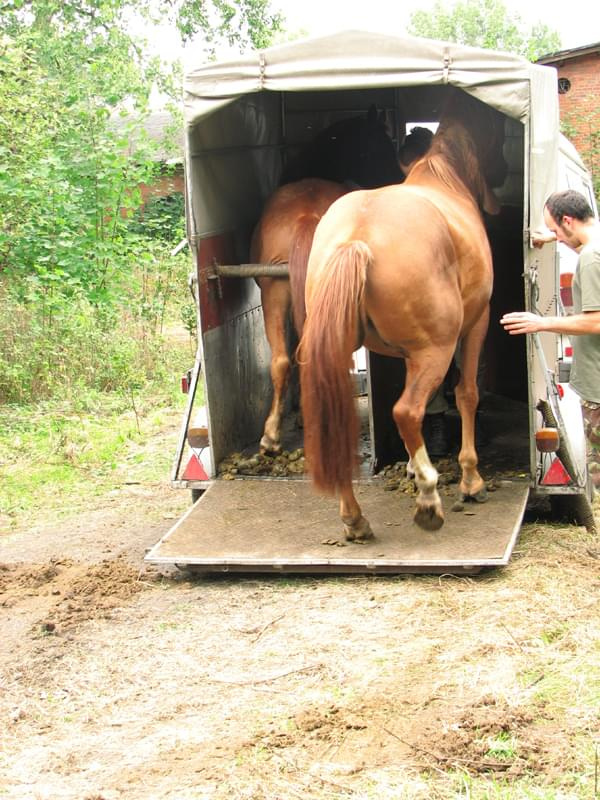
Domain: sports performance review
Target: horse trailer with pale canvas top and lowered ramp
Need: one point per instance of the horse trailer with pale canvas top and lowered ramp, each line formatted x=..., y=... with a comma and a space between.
x=245, y=119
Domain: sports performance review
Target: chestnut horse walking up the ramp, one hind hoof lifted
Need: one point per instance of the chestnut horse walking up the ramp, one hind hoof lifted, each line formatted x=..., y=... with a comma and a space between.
x=406, y=271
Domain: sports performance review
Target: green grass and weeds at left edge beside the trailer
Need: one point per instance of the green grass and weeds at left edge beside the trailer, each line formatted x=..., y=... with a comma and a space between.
x=85, y=390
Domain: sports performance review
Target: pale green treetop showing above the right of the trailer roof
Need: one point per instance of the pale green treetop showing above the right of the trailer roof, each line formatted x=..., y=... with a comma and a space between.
x=487, y=24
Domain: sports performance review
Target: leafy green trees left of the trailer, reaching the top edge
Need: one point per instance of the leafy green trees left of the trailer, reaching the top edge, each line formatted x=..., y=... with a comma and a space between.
x=68, y=179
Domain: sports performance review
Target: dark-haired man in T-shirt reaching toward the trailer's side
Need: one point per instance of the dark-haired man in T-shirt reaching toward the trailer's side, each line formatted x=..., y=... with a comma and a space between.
x=570, y=219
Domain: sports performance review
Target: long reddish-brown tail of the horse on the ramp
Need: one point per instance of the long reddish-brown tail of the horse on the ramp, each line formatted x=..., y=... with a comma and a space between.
x=332, y=331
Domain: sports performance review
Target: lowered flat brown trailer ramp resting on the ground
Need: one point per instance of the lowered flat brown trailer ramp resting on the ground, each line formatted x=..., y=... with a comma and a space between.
x=258, y=525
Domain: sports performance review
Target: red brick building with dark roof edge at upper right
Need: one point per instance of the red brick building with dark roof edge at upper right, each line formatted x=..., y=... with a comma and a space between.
x=579, y=100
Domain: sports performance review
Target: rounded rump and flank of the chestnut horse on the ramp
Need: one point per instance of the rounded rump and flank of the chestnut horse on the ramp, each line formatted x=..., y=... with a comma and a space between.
x=415, y=289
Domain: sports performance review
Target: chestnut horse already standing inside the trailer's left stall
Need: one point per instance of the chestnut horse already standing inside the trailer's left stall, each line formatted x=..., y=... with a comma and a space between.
x=357, y=149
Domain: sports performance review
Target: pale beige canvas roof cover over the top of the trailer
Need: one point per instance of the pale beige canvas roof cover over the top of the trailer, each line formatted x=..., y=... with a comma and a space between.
x=359, y=60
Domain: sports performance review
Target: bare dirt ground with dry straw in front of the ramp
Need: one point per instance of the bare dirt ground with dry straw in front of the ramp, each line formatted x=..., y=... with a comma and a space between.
x=118, y=680
